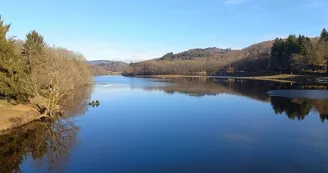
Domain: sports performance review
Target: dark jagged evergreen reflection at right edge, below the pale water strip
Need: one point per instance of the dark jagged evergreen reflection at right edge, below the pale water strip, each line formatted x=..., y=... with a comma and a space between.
x=299, y=108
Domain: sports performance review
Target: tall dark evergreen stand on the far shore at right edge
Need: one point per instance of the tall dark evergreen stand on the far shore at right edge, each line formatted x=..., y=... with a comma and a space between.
x=300, y=54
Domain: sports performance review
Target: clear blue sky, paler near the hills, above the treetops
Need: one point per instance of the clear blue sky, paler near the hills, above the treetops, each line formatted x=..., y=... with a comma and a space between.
x=132, y=30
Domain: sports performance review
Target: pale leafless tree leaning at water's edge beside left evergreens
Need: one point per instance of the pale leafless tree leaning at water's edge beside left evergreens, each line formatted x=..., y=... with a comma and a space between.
x=51, y=83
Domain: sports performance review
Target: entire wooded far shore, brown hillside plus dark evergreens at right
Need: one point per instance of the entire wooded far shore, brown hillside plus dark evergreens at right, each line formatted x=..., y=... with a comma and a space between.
x=296, y=54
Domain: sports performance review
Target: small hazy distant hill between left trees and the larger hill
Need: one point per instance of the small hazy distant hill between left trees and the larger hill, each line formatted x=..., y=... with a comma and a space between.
x=105, y=67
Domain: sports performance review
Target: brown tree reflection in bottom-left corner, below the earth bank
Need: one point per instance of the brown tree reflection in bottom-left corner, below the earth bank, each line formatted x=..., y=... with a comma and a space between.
x=49, y=145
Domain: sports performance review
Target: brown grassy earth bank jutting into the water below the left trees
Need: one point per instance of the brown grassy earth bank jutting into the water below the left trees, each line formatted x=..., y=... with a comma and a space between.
x=12, y=116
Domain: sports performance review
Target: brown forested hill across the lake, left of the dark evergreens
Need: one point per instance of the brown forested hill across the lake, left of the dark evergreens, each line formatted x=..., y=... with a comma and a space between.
x=197, y=61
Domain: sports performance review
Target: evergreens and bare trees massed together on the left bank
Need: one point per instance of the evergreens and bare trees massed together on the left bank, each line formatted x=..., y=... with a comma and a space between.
x=33, y=72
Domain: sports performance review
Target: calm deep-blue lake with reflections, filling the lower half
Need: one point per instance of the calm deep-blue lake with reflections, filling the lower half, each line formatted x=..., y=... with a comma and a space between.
x=179, y=126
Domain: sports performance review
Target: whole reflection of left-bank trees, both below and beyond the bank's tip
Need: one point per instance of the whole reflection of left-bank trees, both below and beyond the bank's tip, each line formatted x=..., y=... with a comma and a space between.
x=47, y=143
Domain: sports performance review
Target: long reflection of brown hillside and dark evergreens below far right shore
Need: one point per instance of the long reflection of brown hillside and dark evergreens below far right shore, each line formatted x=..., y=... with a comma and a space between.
x=294, y=100
